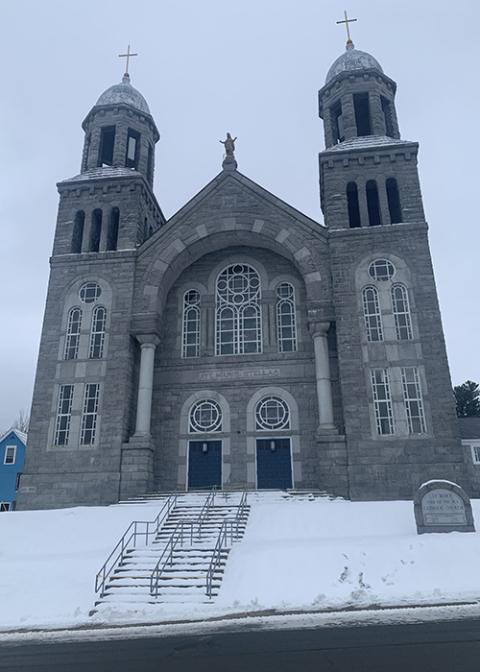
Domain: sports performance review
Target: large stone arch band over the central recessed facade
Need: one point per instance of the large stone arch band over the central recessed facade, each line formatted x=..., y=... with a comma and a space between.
x=181, y=246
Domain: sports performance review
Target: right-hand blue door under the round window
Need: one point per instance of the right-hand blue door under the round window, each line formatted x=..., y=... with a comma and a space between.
x=274, y=464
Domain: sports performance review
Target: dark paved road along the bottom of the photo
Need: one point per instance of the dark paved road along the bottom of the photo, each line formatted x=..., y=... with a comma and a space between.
x=452, y=646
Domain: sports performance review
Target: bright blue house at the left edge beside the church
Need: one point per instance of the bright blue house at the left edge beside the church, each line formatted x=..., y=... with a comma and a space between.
x=12, y=456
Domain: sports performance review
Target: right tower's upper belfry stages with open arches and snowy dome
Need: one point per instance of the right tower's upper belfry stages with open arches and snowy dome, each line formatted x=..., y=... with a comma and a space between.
x=377, y=183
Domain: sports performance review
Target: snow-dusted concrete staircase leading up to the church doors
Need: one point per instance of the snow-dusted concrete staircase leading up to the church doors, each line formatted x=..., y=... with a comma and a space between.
x=183, y=579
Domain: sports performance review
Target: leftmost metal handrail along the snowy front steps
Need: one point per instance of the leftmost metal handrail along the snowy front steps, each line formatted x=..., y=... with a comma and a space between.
x=136, y=529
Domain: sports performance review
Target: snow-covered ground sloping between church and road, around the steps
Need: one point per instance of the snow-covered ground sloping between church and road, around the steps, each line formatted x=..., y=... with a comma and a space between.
x=295, y=556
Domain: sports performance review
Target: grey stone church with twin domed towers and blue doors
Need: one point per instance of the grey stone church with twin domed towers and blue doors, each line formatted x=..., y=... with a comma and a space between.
x=241, y=344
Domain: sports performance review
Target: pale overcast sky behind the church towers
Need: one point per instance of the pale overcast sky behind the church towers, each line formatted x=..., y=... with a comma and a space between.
x=249, y=67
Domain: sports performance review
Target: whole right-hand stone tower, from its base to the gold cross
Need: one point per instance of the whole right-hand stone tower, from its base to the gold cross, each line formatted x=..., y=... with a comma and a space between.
x=395, y=383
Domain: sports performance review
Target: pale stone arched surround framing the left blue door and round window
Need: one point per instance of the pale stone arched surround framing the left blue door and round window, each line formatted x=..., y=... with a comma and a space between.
x=186, y=436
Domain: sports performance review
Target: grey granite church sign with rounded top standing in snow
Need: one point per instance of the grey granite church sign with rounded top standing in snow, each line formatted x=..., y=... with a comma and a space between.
x=442, y=506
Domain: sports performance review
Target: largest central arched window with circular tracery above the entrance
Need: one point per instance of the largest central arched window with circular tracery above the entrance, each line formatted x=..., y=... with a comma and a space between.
x=238, y=313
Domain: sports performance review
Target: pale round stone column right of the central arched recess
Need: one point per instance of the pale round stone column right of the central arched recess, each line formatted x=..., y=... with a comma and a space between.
x=322, y=374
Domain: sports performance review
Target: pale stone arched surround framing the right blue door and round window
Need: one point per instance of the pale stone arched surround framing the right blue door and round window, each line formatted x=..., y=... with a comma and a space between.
x=252, y=433
